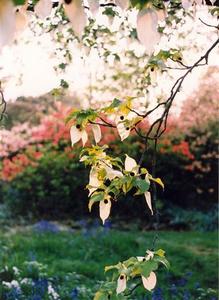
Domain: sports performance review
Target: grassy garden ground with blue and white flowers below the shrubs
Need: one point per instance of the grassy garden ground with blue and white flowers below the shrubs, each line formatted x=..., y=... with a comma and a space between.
x=80, y=256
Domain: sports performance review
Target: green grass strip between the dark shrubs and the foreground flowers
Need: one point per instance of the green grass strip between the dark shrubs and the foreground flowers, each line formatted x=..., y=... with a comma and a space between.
x=87, y=254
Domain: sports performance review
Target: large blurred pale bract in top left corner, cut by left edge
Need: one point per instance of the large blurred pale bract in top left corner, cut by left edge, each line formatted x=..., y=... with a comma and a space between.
x=7, y=22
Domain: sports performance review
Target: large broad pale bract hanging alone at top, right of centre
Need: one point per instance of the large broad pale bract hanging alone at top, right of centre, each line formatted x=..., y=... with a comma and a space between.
x=147, y=21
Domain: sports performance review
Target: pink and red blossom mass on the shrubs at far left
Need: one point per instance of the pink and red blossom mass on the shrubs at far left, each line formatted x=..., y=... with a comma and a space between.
x=23, y=145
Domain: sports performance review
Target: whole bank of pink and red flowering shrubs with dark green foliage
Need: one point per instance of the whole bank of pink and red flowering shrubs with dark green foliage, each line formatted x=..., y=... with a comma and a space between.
x=39, y=158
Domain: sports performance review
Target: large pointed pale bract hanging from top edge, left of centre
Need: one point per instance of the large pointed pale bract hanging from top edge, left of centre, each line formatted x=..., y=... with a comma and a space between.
x=74, y=10
